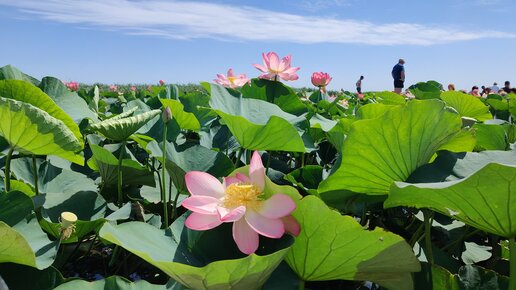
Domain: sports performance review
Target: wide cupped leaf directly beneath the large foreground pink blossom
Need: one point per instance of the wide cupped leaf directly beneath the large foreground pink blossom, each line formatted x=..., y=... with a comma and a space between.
x=199, y=260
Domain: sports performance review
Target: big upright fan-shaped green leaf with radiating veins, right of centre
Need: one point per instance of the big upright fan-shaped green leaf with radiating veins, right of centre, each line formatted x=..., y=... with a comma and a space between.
x=389, y=148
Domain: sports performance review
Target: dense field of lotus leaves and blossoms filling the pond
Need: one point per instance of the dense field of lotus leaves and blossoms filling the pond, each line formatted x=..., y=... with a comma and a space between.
x=254, y=187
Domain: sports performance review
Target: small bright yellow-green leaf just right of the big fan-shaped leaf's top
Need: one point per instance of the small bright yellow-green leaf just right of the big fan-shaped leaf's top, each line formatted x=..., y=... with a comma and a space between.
x=467, y=105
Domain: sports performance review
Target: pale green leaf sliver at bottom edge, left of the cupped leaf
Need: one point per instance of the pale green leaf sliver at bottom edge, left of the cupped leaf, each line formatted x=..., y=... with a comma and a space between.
x=111, y=283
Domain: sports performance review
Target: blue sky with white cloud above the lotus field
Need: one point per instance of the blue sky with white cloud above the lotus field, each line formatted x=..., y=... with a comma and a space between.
x=466, y=42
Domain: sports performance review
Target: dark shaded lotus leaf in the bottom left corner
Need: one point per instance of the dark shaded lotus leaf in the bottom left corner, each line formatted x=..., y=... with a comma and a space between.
x=17, y=277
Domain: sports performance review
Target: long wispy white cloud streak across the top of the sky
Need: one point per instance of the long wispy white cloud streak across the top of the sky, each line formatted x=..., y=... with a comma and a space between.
x=193, y=20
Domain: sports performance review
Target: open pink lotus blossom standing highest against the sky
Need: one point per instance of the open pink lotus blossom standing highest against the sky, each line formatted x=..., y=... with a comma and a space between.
x=274, y=69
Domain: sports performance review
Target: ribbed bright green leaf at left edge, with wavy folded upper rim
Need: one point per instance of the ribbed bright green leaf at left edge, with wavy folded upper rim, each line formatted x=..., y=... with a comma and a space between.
x=31, y=130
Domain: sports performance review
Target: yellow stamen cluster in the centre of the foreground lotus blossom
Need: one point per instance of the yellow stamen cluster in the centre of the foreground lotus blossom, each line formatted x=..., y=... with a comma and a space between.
x=246, y=194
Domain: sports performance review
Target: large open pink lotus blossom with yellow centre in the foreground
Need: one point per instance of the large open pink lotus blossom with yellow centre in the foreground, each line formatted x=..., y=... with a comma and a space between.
x=239, y=200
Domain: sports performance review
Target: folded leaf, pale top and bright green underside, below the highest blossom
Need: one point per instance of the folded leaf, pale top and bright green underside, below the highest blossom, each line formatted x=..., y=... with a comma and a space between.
x=257, y=124
